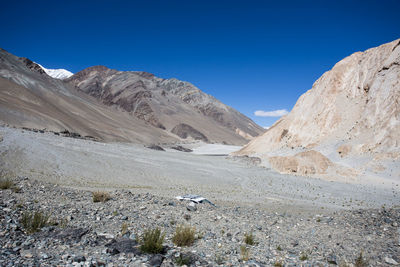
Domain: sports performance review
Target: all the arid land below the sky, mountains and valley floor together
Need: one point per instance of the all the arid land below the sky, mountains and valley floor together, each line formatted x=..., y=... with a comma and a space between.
x=91, y=167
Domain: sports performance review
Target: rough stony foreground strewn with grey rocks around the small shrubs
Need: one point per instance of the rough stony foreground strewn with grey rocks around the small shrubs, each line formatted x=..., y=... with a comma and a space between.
x=89, y=234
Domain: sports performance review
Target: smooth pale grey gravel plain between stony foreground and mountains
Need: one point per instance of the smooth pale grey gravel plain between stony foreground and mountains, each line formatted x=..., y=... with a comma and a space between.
x=87, y=164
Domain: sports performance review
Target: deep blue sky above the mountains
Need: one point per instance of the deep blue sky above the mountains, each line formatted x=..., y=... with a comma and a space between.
x=251, y=55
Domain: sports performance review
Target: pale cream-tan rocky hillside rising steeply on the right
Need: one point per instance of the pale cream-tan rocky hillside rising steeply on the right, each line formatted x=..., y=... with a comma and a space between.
x=351, y=116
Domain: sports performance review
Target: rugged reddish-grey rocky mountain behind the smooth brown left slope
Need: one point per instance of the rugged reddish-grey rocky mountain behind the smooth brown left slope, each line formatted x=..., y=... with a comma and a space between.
x=166, y=104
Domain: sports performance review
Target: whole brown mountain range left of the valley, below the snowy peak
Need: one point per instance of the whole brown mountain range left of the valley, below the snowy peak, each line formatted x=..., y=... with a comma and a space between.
x=113, y=105
